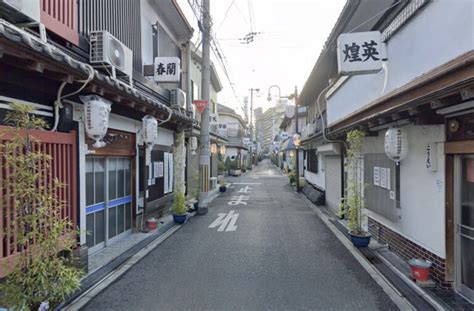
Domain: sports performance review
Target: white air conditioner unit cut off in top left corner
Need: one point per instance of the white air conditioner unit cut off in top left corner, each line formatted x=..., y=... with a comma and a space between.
x=21, y=11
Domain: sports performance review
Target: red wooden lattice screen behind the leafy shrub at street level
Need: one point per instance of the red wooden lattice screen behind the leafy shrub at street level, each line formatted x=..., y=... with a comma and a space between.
x=62, y=149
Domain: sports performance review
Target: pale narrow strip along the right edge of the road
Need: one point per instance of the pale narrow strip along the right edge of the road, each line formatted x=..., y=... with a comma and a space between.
x=379, y=278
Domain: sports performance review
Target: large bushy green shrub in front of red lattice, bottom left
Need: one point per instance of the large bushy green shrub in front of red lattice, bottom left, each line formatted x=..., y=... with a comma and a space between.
x=40, y=274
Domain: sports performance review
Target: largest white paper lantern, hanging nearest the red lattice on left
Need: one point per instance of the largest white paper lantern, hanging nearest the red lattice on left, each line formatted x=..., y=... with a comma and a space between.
x=96, y=118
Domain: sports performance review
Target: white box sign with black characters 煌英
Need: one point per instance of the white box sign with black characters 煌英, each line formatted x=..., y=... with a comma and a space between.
x=360, y=52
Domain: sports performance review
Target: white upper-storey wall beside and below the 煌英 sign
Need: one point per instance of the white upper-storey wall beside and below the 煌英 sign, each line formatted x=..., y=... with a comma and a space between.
x=440, y=32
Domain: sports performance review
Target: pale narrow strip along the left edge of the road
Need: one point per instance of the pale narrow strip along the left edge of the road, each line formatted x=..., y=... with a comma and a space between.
x=87, y=296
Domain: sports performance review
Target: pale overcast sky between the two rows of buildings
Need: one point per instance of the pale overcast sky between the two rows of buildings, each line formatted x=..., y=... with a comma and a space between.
x=291, y=35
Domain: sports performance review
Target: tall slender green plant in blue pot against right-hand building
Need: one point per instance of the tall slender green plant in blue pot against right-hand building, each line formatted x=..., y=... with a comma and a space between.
x=355, y=187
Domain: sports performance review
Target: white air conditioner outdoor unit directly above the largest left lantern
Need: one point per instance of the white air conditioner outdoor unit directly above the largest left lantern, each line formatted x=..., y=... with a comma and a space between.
x=108, y=51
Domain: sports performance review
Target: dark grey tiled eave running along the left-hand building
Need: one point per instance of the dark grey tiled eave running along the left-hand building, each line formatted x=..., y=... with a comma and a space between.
x=22, y=39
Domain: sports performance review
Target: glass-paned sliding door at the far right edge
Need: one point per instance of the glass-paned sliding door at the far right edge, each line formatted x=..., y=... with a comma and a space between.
x=464, y=203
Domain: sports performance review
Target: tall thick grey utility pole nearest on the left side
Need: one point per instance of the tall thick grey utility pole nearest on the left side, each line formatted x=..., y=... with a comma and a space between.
x=204, y=155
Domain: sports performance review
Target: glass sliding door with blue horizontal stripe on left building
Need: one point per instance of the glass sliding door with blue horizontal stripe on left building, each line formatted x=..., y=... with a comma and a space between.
x=108, y=199
